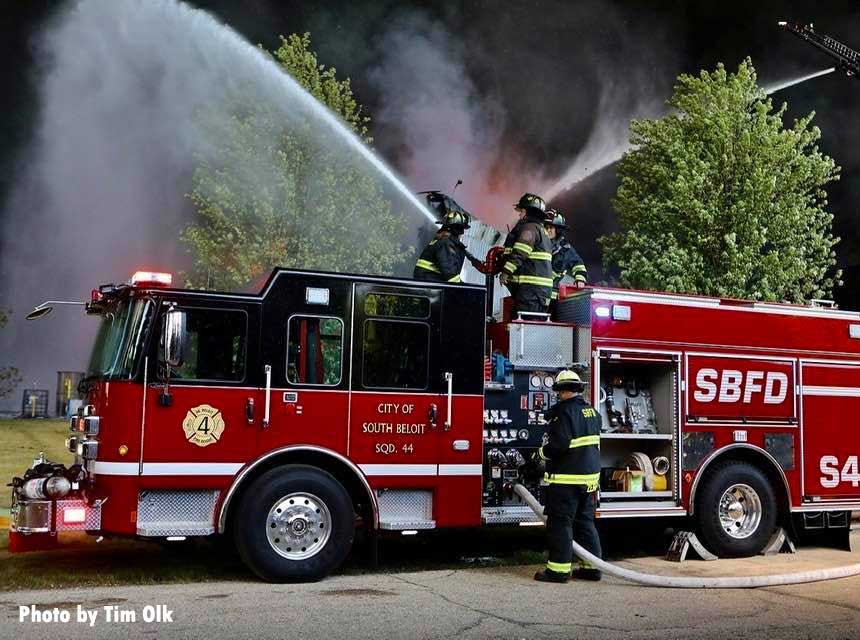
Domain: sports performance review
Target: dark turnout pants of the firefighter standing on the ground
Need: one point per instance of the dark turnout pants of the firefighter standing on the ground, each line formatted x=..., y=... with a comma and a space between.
x=570, y=516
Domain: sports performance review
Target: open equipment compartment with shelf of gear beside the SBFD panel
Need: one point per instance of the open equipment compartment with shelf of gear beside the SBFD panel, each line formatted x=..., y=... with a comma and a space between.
x=637, y=402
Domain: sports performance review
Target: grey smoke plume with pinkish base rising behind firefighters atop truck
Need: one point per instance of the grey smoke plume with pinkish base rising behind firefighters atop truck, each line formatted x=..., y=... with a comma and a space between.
x=445, y=129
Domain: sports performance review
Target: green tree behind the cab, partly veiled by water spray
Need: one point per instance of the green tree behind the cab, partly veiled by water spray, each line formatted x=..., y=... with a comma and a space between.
x=276, y=191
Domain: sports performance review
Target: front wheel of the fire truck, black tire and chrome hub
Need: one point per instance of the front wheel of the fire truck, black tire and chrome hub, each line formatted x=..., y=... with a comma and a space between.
x=294, y=523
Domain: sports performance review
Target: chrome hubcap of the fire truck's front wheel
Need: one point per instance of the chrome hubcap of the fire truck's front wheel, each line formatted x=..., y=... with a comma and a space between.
x=298, y=526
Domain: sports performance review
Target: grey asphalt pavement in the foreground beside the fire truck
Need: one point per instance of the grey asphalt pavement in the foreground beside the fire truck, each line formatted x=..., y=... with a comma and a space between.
x=501, y=602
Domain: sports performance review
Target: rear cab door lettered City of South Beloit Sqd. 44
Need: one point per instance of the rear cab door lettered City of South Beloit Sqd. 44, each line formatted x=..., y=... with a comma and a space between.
x=397, y=400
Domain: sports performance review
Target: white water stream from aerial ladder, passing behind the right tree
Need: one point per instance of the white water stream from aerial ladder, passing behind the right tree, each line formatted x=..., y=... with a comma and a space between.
x=607, y=147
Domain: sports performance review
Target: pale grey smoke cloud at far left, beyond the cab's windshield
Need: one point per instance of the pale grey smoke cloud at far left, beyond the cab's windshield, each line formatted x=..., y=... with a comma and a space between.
x=102, y=184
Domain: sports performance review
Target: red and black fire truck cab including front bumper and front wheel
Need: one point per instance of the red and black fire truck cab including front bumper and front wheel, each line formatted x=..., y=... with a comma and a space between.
x=281, y=418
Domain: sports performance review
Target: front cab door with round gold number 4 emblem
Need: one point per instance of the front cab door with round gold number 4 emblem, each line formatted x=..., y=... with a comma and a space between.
x=200, y=415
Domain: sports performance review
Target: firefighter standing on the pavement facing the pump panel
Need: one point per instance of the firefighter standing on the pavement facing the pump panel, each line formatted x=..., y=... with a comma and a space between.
x=572, y=456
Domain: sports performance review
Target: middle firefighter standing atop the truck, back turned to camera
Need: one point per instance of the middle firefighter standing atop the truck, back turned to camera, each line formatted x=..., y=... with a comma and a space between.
x=526, y=268
